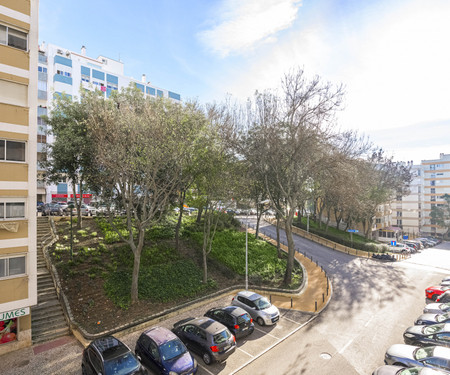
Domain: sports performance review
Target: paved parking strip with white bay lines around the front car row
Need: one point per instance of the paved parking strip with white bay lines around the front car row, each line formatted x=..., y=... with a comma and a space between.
x=248, y=348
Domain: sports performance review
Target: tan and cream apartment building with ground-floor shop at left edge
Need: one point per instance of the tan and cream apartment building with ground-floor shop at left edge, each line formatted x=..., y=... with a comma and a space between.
x=18, y=150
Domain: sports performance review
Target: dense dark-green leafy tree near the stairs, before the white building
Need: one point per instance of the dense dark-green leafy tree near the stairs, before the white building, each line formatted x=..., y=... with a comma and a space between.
x=70, y=154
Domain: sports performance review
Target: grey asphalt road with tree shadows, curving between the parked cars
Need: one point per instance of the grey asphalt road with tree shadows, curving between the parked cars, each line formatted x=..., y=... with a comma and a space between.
x=372, y=304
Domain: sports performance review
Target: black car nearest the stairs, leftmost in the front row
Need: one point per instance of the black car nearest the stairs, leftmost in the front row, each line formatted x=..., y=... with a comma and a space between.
x=108, y=356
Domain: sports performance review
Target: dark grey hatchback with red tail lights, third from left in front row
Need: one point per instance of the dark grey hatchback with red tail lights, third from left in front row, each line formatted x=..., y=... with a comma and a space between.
x=206, y=337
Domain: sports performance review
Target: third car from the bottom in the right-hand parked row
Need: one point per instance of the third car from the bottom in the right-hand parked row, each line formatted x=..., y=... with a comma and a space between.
x=436, y=334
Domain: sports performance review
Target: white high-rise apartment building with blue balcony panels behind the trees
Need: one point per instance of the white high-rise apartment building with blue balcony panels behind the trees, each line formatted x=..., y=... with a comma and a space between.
x=64, y=71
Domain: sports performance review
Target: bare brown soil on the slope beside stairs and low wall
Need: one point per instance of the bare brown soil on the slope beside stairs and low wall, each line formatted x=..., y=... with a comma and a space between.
x=89, y=305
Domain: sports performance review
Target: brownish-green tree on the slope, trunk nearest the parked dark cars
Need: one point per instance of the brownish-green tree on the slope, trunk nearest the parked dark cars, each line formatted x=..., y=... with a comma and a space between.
x=139, y=145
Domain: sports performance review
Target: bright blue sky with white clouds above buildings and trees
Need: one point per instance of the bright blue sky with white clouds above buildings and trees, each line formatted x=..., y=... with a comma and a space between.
x=392, y=56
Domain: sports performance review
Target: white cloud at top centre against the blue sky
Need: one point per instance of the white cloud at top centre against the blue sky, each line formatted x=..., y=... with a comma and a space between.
x=245, y=24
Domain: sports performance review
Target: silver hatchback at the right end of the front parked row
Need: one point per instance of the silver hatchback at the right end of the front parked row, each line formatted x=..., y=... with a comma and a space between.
x=259, y=307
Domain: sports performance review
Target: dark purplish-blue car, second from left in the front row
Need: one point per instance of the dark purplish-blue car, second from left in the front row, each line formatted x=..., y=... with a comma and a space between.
x=164, y=353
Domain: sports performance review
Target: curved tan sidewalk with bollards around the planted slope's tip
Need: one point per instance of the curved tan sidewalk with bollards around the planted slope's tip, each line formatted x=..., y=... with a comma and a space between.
x=317, y=291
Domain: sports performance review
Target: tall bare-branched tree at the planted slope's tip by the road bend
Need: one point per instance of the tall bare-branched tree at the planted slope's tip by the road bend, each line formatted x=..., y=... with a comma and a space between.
x=291, y=136
